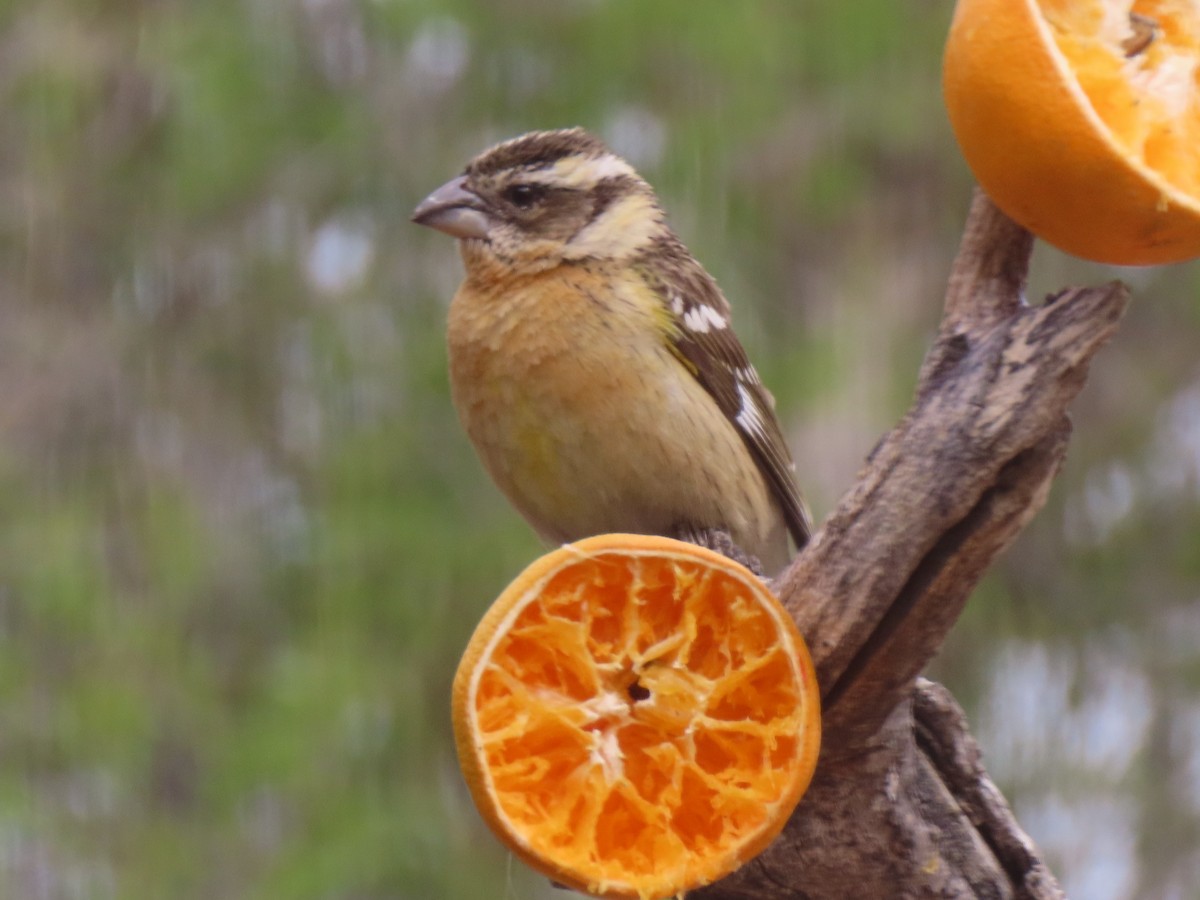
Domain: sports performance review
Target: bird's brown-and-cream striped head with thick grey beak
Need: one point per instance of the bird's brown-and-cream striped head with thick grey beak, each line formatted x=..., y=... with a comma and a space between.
x=544, y=200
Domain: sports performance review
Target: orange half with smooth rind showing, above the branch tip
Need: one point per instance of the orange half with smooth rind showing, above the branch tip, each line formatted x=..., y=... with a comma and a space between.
x=1082, y=121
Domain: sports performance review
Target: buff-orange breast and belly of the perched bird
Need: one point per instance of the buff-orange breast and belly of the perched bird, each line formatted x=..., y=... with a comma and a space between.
x=586, y=419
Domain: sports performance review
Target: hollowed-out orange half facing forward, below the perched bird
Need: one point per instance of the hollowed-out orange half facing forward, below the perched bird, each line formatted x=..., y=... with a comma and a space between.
x=637, y=717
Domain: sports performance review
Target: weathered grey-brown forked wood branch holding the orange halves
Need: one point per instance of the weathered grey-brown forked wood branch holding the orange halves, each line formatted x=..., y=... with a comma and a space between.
x=901, y=805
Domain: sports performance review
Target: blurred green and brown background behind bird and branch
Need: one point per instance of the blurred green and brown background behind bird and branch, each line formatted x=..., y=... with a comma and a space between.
x=243, y=541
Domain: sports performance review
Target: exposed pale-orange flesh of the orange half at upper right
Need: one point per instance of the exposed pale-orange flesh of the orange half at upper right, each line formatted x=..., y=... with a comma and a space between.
x=1142, y=79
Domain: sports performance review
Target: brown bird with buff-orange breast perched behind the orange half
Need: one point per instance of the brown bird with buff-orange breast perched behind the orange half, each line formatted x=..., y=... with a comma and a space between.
x=593, y=362
